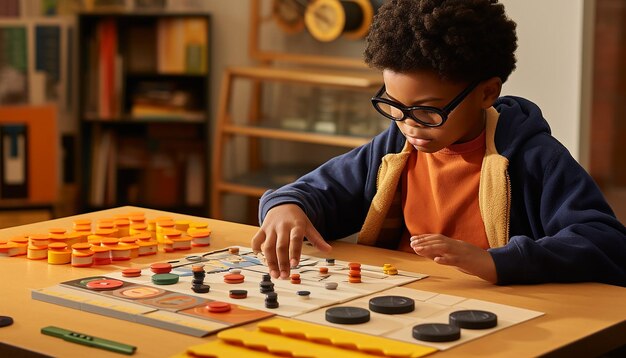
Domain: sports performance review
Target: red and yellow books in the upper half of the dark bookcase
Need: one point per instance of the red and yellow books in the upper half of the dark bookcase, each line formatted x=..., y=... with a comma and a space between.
x=174, y=46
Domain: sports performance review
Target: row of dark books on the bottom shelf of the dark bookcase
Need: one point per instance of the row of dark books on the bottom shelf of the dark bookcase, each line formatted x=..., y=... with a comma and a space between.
x=127, y=169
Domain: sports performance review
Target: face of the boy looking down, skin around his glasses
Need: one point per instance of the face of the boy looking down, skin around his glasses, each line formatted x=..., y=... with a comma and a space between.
x=424, y=88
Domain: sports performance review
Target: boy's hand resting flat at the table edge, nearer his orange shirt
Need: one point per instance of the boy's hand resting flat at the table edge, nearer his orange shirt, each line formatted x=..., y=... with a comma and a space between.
x=465, y=256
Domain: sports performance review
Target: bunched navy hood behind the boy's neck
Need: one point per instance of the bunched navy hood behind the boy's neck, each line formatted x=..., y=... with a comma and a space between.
x=519, y=120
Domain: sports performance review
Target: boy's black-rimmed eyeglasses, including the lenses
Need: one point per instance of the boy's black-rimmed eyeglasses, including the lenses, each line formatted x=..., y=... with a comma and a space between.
x=425, y=115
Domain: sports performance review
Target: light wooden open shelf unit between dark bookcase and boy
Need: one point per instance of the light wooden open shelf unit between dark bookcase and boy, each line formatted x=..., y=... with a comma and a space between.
x=252, y=128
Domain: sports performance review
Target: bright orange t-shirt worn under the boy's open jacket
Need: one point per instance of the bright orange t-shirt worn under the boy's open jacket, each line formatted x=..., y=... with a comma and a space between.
x=440, y=194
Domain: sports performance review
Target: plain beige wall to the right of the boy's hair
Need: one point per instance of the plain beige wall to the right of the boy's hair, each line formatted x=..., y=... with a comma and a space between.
x=553, y=64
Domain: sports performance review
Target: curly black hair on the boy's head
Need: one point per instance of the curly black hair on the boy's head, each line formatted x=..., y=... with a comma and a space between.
x=461, y=40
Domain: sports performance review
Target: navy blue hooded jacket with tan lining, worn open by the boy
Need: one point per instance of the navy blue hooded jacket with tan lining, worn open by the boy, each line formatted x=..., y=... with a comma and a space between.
x=545, y=218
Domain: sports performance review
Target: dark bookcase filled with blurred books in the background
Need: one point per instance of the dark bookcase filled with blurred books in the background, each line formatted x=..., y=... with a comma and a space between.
x=144, y=110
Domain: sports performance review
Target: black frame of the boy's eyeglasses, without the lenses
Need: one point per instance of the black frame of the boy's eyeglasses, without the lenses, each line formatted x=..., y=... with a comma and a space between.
x=408, y=111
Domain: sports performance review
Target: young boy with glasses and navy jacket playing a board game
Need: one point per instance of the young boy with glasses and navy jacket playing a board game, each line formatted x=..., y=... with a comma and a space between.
x=461, y=176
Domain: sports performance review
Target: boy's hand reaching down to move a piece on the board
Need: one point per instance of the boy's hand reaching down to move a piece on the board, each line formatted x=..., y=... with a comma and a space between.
x=280, y=238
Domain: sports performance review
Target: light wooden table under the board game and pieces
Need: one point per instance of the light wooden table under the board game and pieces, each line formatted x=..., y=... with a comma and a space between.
x=580, y=319
